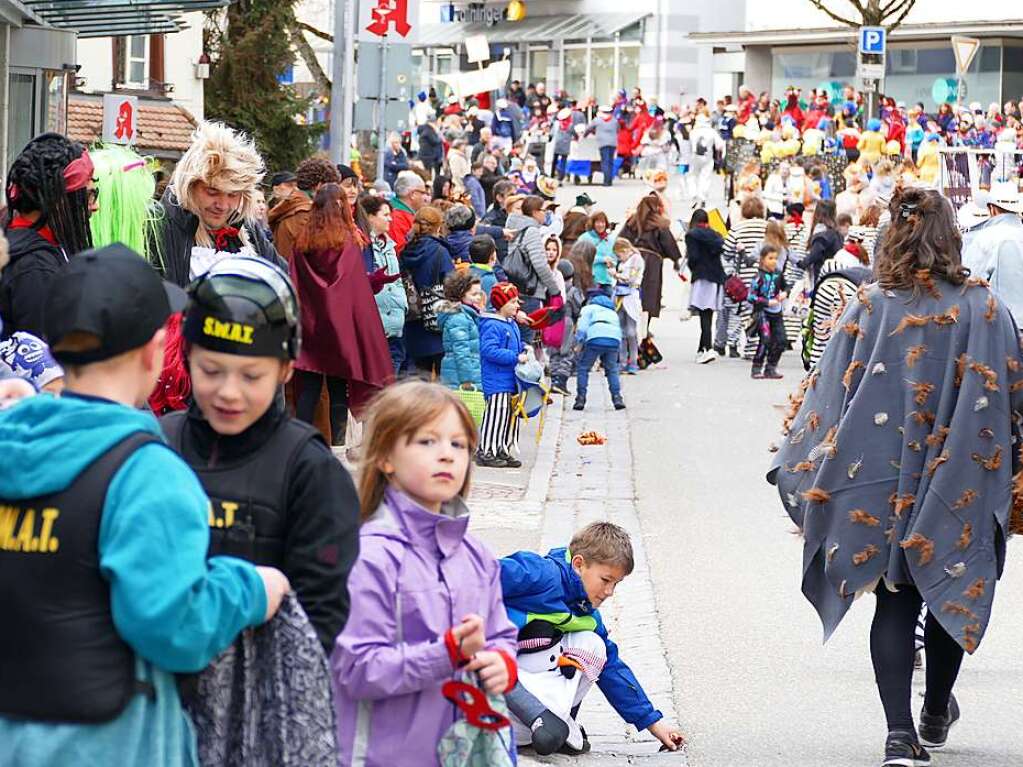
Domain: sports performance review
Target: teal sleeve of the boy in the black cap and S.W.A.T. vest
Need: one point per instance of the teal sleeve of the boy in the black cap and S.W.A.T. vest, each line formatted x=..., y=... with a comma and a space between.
x=173, y=607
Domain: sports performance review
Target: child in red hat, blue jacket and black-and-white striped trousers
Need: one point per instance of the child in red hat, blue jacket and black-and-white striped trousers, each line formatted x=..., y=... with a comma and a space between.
x=501, y=350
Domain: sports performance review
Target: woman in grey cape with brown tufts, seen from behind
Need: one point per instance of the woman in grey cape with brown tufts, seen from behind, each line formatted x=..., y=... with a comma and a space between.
x=898, y=465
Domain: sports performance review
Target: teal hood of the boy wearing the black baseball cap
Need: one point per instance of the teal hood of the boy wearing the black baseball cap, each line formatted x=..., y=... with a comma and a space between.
x=48, y=442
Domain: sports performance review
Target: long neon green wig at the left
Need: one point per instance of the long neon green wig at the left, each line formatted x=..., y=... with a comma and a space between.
x=127, y=212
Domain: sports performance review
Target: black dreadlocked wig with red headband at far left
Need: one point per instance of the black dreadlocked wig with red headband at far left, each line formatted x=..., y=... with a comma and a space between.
x=36, y=185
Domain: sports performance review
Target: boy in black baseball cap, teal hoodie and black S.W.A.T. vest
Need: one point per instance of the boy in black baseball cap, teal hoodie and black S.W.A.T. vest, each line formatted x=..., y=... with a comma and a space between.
x=105, y=531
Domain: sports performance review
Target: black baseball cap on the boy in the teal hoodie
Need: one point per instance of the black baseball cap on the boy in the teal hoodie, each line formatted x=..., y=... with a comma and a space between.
x=111, y=293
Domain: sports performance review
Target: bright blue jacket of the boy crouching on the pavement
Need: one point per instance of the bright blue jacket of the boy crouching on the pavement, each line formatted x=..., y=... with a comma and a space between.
x=547, y=589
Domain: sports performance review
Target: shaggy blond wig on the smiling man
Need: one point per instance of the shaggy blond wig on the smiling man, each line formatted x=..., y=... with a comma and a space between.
x=226, y=160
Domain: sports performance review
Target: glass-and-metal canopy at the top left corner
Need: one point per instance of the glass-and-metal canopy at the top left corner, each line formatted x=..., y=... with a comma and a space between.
x=119, y=18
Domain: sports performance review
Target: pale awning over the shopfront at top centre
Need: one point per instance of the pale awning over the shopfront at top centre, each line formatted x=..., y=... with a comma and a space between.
x=532, y=29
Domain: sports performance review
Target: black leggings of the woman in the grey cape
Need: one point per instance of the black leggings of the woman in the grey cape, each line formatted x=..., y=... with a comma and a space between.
x=894, y=649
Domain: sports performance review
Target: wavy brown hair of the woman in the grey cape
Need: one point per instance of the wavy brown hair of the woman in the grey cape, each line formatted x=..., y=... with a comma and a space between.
x=922, y=243
